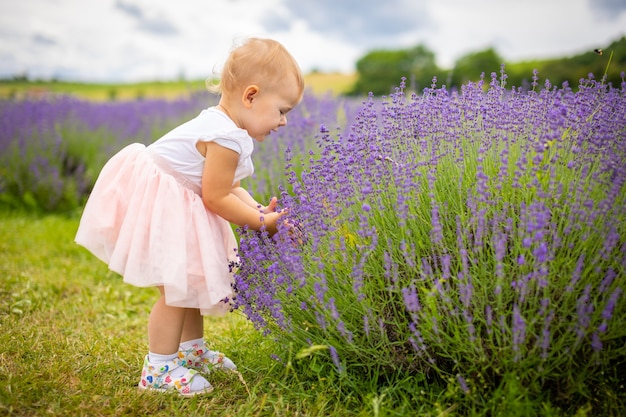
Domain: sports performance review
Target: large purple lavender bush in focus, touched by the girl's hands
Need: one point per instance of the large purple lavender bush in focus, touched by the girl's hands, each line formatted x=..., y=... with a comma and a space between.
x=473, y=241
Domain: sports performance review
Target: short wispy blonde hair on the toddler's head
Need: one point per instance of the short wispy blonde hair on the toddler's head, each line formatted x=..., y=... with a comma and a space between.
x=264, y=62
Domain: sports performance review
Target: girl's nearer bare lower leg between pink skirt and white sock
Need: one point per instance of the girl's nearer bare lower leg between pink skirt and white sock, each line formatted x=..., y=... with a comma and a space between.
x=165, y=327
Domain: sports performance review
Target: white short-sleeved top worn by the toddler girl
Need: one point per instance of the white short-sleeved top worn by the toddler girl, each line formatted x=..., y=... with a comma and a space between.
x=178, y=146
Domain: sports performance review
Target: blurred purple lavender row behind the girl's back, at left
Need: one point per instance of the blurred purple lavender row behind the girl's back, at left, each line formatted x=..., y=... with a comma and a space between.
x=51, y=151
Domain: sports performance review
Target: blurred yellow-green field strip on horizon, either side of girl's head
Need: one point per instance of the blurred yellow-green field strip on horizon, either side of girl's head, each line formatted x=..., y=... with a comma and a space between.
x=318, y=82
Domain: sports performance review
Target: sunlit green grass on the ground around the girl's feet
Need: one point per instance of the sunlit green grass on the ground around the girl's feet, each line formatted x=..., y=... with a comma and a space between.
x=73, y=336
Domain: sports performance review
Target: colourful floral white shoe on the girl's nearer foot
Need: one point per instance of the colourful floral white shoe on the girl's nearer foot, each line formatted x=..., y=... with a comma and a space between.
x=160, y=378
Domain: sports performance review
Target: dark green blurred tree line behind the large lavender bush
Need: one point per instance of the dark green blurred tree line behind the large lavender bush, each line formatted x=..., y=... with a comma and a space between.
x=380, y=71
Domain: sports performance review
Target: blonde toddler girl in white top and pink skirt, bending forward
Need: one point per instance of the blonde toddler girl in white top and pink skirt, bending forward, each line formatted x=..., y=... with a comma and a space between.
x=160, y=215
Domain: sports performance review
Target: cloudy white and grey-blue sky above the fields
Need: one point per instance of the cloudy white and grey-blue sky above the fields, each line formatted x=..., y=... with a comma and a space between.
x=141, y=40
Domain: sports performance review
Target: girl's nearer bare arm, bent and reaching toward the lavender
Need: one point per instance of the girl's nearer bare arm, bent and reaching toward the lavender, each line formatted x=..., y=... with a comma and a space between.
x=227, y=201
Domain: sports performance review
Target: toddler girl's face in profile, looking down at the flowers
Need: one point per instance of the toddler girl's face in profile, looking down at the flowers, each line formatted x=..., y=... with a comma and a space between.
x=266, y=109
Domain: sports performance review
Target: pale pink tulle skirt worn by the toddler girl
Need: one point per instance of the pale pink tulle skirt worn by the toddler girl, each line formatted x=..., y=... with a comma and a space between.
x=150, y=226
